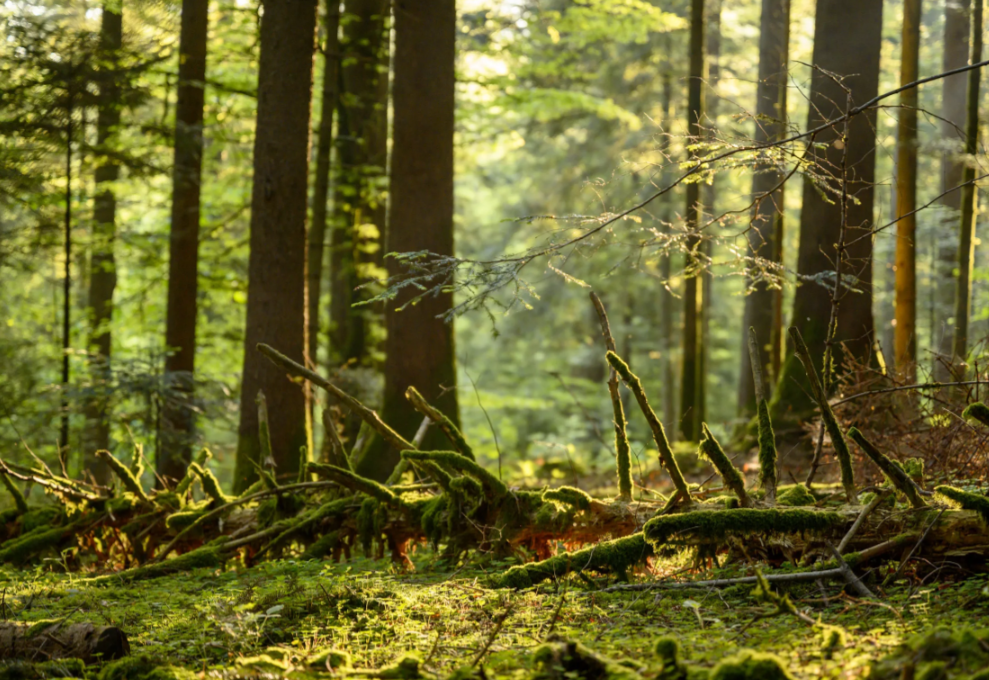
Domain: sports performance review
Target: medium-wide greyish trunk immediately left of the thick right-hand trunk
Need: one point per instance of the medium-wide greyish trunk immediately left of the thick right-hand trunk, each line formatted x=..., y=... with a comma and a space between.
x=762, y=308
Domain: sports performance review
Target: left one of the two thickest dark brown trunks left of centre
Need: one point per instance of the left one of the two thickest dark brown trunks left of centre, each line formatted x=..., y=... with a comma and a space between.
x=276, y=268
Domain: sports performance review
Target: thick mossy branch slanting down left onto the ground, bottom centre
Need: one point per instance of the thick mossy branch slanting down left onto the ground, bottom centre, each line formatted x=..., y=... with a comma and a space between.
x=616, y=556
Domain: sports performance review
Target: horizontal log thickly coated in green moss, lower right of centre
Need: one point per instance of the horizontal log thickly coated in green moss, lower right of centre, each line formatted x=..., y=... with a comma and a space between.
x=720, y=524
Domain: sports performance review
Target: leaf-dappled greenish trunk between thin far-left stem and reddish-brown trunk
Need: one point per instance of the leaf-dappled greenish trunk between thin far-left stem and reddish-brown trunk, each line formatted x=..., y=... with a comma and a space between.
x=103, y=274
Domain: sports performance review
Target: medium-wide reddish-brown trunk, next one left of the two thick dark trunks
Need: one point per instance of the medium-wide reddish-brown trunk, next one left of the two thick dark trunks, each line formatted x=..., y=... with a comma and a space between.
x=183, y=264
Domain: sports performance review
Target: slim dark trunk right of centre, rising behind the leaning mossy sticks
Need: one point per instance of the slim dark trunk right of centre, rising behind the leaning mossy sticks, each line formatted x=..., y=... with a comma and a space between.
x=693, y=288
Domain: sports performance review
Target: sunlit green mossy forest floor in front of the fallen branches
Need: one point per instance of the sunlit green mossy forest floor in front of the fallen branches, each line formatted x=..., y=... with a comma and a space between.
x=271, y=619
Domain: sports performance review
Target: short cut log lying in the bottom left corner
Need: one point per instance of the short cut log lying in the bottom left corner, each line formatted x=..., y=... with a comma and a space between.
x=55, y=640
